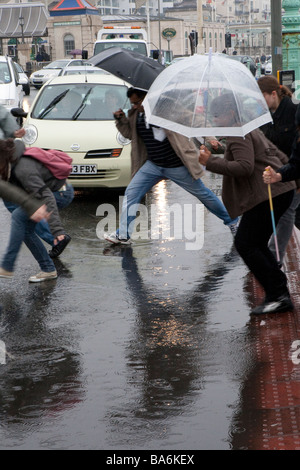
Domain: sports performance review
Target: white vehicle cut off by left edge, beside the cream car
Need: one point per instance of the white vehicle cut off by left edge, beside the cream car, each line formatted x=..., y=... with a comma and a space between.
x=11, y=94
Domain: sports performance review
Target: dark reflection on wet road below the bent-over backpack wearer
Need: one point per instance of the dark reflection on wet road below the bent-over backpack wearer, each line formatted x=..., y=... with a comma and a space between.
x=41, y=375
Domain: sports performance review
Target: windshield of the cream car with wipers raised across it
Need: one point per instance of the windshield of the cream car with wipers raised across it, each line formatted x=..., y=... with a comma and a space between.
x=80, y=102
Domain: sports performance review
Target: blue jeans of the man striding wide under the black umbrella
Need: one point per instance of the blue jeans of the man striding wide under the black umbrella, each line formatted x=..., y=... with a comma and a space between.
x=149, y=175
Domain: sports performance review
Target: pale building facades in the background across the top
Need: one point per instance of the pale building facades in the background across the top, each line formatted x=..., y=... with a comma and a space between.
x=248, y=22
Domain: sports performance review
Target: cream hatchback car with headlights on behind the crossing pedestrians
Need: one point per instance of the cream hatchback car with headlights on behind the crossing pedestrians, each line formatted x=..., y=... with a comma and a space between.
x=74, y=114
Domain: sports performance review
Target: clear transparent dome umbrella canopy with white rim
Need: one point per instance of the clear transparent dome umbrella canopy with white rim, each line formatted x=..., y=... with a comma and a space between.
x=185, y=97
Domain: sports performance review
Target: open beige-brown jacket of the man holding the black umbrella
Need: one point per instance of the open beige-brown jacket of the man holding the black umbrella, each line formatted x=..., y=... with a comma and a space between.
x=183, y=147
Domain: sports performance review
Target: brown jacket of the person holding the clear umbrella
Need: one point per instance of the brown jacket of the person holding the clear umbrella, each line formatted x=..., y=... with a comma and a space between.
x=242, y=166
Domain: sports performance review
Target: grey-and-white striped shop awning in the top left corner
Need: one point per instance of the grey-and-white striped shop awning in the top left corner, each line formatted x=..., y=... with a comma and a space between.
x=35, y=19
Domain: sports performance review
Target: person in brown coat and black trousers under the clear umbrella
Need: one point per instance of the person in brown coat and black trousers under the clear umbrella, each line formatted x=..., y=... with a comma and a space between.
x=244, y=193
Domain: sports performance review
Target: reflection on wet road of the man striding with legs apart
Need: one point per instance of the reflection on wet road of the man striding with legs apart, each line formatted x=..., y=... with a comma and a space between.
x=164, y=351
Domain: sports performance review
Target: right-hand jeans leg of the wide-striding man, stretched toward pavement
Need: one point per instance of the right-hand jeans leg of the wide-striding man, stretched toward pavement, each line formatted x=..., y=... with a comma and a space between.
x=197, y=188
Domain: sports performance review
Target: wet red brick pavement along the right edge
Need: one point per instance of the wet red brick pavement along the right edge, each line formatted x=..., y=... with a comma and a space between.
x=272, y=395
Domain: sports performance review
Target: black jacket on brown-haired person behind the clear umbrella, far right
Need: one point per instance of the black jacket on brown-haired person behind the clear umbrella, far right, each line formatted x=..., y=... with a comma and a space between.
x=283, y=129
